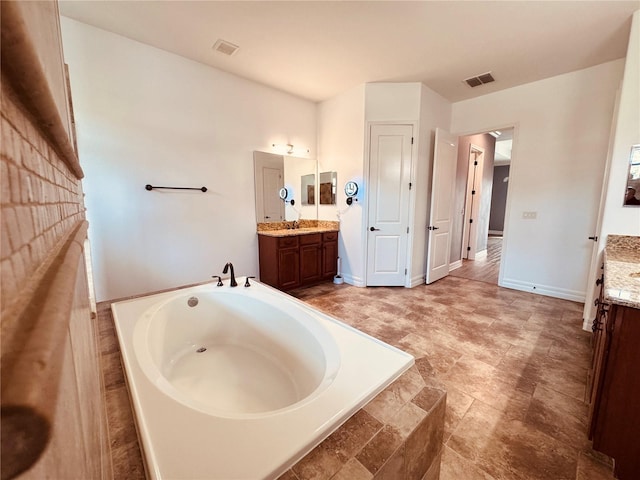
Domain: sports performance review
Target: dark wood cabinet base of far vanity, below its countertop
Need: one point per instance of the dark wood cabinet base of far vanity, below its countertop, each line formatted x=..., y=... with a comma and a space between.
x=297, y=260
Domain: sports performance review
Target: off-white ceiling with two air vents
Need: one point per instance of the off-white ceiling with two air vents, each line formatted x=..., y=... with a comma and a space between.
x=318, y=49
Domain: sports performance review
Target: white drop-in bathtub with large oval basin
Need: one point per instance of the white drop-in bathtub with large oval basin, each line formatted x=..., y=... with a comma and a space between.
x=240, y=383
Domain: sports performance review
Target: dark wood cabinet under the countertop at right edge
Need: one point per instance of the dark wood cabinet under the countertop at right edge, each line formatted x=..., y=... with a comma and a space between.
x=615, y=387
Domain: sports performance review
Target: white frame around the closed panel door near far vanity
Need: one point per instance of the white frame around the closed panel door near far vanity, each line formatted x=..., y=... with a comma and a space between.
x=412, y=197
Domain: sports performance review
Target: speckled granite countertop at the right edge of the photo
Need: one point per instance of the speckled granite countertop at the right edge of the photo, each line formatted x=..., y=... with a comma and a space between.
x=622, y=270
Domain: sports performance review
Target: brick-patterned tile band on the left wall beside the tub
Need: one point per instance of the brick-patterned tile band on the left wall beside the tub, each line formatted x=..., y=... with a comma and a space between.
x=41, y=199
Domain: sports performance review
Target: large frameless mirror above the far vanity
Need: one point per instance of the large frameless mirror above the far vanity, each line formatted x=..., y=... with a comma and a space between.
x=273, y=172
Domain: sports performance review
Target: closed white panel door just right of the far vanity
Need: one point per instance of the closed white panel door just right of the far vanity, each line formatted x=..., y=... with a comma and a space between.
x=389, y=177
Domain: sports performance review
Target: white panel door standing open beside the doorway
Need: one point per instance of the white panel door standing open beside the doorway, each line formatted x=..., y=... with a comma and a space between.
x=445, y=157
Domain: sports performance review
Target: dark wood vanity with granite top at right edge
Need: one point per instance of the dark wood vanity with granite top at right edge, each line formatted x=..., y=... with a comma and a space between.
x=614, y=387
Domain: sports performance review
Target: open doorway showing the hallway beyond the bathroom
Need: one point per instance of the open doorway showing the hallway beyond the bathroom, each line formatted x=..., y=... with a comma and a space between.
x=481, y=192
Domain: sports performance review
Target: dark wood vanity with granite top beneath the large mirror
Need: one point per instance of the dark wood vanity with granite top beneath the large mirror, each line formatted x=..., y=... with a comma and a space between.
x=295, y=257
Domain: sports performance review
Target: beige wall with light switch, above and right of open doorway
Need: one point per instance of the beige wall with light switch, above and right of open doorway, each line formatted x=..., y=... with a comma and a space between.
x=561, y=133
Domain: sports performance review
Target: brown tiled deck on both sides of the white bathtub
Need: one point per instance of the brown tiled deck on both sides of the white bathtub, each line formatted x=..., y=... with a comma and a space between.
x=398, y=435
